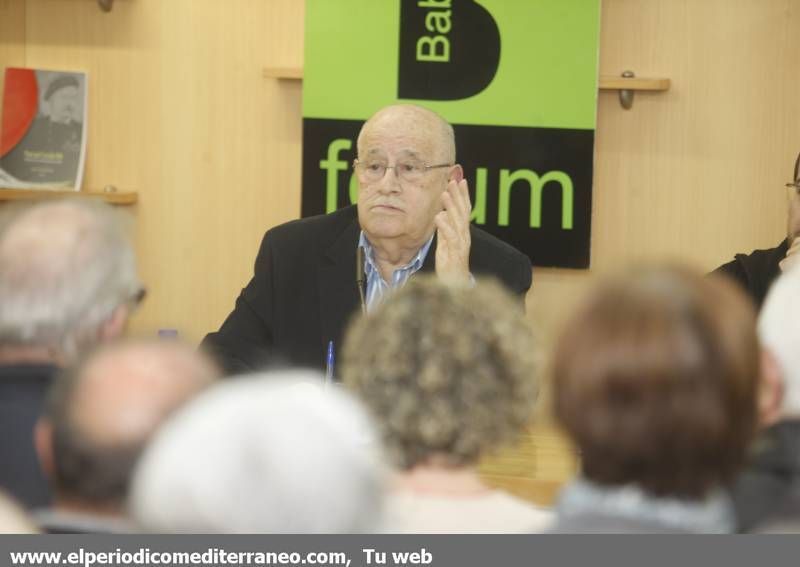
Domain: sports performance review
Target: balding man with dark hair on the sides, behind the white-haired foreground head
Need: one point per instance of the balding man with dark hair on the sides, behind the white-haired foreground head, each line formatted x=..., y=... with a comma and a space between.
x=99, y=417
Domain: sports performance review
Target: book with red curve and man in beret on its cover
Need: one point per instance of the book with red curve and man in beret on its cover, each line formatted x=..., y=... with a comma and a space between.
x=43, y=129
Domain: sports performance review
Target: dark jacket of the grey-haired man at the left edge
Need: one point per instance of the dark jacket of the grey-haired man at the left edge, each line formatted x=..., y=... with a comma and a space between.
x=22, y=392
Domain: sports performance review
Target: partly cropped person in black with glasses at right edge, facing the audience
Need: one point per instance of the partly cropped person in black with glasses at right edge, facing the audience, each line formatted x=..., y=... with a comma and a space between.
x=756, y=271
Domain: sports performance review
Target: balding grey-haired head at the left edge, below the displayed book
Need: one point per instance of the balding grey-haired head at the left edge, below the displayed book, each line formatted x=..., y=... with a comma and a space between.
x=67, y=276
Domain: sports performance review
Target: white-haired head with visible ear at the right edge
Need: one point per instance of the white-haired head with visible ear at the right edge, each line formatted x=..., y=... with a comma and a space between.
x=779, y=331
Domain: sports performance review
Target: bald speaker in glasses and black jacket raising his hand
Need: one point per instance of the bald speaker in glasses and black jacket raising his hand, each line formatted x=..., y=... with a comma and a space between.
x=412, y=215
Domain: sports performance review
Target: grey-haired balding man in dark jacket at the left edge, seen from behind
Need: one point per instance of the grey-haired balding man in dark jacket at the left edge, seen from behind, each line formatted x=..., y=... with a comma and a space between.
x=68, y=281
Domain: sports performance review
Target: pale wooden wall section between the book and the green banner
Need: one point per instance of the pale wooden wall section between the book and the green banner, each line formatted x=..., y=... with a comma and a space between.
x=180, y=113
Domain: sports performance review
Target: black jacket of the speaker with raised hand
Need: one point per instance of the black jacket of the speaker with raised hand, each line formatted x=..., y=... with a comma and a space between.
x=304, y=291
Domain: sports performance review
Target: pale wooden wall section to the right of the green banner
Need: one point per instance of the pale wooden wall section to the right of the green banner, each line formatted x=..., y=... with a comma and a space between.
x=694, y=174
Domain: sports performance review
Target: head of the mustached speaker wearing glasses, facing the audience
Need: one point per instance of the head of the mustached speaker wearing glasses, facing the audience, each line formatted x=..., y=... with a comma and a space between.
x=400, y=204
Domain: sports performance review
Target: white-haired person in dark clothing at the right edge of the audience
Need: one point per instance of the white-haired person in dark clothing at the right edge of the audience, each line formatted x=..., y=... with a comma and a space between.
x=767, y=494
